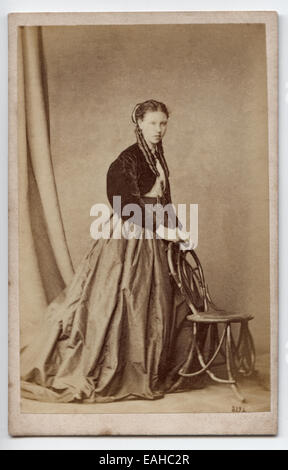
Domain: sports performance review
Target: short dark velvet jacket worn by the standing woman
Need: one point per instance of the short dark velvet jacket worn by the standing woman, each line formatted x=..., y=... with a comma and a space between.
x=130, y=177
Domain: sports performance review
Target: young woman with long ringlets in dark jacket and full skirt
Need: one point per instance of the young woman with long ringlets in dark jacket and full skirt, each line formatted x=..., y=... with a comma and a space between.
x=119, y=331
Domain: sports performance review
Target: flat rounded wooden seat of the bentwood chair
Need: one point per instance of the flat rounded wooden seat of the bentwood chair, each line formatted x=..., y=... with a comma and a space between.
x=214, y=315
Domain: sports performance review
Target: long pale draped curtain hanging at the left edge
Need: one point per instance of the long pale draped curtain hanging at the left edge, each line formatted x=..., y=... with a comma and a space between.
x=44, y=260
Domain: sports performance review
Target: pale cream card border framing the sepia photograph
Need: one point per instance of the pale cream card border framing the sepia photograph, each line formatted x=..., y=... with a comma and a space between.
x=178, y=424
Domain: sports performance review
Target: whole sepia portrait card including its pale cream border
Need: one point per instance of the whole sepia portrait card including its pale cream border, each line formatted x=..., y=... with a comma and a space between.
x=143, y=245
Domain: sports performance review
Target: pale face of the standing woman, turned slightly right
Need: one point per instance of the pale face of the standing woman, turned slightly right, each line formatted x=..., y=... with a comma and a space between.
x=153, y=126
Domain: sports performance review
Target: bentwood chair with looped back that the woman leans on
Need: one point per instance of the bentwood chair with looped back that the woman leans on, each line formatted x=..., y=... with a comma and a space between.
x=227, y=334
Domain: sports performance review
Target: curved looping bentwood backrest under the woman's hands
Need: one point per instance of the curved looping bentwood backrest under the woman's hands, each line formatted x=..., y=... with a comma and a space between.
x=187, y=271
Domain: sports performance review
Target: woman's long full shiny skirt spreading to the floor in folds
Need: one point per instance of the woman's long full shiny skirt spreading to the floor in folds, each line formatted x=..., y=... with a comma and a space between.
x=118, y=331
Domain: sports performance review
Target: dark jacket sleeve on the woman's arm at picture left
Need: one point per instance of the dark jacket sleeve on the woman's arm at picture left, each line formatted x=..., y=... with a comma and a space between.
x=122, y=180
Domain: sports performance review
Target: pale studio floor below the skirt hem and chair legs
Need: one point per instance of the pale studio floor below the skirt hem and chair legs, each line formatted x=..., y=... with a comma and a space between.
x=213, y=398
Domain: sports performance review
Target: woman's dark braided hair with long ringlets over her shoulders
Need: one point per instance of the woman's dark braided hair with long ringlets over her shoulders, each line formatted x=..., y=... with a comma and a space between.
x=139, y=112
